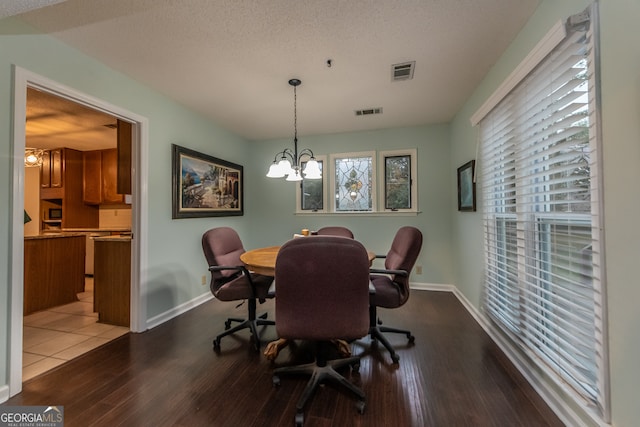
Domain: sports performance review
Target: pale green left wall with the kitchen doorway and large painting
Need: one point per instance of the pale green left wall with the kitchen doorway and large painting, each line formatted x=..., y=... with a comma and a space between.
x=175, y=261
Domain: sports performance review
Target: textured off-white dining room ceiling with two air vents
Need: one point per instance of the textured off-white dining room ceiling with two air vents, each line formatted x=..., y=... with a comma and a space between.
x=230, y=60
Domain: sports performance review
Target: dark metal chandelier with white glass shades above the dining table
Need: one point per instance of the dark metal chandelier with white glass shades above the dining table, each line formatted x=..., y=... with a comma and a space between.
x=290, y=162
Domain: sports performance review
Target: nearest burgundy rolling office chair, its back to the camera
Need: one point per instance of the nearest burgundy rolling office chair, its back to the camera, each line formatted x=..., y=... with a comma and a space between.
x=323, y=294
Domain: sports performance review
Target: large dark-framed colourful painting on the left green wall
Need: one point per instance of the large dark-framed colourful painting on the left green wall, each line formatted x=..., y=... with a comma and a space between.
x=205, y=186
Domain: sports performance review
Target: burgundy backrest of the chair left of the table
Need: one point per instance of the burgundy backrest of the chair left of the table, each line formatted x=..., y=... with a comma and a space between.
x=222, y=246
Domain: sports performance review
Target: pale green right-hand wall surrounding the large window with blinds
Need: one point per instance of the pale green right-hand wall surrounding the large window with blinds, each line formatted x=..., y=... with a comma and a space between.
x=620, y=77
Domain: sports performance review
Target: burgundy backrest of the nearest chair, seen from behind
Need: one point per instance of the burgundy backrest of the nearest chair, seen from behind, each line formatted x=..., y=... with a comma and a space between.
x=323, y=289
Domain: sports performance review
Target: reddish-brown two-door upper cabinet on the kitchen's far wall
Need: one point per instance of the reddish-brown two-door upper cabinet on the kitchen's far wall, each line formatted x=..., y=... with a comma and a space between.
x=100, y=177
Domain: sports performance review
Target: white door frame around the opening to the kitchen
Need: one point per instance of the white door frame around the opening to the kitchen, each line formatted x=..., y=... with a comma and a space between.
x=139, y=207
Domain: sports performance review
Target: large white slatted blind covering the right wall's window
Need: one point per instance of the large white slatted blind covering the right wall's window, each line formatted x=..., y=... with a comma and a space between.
x=541, y=211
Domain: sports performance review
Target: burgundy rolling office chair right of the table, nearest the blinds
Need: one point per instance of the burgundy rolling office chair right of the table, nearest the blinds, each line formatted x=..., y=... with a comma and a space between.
x=392, y=283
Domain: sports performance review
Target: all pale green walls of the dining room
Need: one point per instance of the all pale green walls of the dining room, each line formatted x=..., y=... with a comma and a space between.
x=452, y=253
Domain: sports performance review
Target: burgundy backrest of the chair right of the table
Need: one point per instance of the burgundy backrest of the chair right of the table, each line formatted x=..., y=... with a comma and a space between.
x=402, y=255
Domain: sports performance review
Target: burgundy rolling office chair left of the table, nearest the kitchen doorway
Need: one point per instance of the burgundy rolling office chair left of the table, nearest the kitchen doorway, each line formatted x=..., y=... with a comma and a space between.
x=231, y=281
